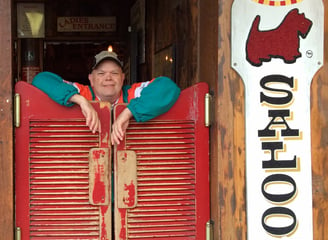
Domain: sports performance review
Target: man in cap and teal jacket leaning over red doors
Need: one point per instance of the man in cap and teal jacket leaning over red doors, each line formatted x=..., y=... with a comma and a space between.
x=146, y=100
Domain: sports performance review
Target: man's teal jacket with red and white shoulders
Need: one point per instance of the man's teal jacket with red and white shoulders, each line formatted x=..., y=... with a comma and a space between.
x=146, y=100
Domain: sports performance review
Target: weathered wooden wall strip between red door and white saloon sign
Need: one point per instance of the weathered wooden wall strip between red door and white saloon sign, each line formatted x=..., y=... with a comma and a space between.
x=228, y=206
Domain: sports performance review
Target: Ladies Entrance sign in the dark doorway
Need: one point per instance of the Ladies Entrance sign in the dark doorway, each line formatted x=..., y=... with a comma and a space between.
x=86, y=24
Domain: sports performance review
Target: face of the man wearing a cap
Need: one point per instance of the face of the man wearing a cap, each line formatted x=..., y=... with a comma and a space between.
x=107, y=81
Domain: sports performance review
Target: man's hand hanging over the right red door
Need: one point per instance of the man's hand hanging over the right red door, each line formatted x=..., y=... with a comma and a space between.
x=120, y=125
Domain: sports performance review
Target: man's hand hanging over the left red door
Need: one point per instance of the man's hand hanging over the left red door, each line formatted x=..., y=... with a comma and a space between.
x=90, y=114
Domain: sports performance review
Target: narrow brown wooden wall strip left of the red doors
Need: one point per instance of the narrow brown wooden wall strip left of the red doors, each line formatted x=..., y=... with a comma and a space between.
x=6, y=136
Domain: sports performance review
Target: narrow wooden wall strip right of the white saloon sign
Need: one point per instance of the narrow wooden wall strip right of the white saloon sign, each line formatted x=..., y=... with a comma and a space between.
x=319, y=128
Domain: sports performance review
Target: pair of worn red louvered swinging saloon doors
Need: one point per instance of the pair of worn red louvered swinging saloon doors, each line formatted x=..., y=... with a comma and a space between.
x=63, y=172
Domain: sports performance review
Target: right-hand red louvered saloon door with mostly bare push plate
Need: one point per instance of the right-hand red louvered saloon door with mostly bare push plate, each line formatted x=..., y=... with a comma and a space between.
x=162, y=173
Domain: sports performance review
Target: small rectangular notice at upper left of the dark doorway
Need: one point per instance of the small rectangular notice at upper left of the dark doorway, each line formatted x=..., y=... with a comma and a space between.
x=30, y=20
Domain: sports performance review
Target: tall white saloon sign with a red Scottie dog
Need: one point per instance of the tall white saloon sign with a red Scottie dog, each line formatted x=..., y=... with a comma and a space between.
x=277, y=47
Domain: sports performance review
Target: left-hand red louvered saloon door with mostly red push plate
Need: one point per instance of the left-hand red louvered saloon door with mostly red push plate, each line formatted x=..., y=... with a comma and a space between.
x=62, y=170
